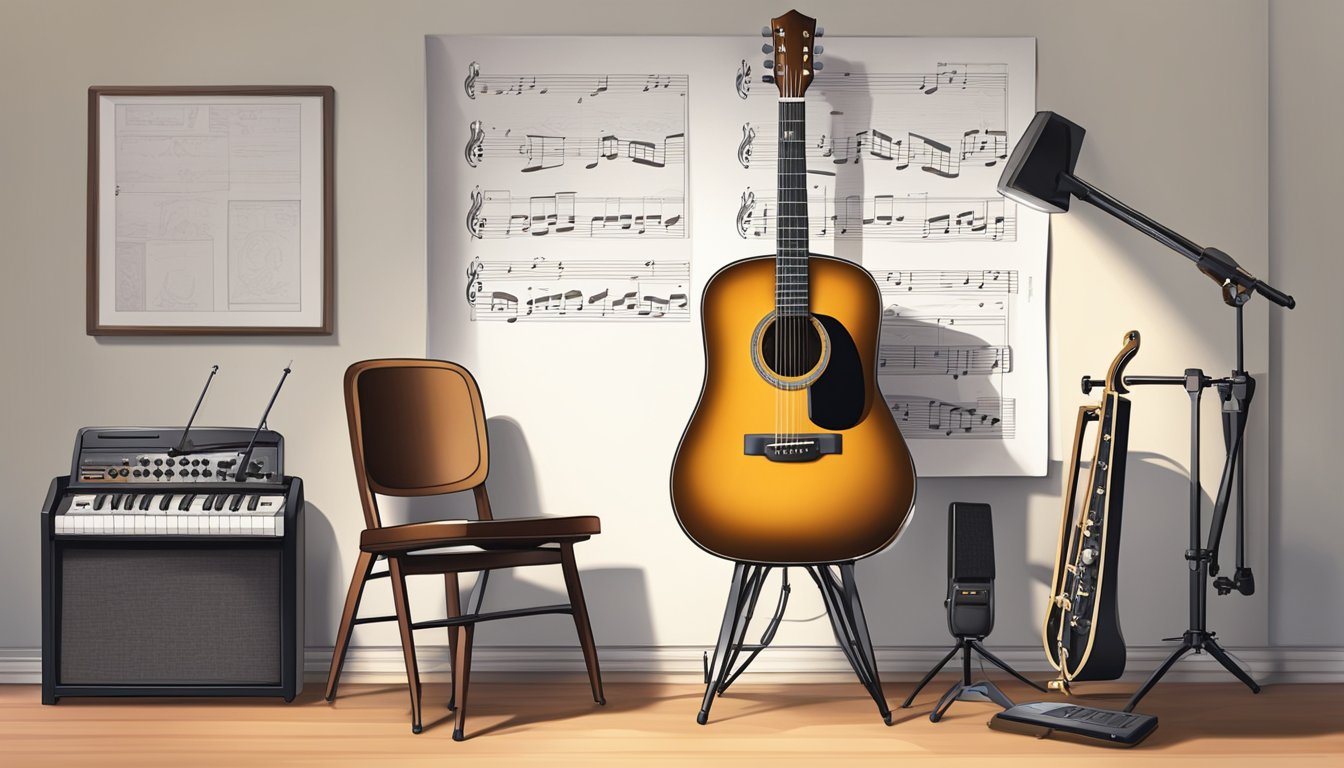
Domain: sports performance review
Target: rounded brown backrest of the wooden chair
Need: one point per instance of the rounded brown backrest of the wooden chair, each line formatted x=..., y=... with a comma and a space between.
x=417, y=428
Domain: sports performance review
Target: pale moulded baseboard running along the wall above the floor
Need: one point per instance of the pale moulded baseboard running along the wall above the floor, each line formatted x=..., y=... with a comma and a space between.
x=784, y=664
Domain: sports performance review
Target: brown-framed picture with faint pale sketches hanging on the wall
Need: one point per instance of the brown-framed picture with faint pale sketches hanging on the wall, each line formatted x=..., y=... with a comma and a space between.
x=210, y=210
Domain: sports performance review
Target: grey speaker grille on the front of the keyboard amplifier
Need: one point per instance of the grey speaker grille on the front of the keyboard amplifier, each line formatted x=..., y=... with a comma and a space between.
x=170, y=617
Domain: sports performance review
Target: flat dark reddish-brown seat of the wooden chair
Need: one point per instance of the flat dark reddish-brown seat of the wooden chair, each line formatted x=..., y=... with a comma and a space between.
x=511, y=532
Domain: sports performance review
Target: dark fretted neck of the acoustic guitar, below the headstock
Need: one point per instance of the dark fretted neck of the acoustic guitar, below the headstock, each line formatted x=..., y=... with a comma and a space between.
x=791, y=266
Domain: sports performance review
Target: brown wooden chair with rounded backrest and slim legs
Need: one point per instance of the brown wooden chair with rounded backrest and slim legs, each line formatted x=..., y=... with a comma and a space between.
x=417, y=428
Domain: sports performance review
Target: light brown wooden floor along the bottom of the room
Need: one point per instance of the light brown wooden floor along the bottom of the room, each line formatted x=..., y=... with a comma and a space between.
x=654, y=726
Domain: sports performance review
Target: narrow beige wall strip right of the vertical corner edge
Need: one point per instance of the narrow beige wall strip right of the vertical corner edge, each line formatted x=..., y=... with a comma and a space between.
x=1307, y=568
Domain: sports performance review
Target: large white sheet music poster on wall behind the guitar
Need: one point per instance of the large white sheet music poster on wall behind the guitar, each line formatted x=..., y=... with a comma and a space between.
x=583, y=192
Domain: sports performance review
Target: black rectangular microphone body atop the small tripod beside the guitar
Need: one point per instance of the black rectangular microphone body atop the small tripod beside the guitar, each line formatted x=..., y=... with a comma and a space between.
x=971, y=570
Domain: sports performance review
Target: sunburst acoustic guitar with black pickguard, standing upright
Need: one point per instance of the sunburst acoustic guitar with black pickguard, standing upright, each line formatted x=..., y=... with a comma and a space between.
x=792, y=455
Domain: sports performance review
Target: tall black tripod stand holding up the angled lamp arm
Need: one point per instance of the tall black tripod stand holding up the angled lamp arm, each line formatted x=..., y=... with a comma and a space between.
x=1236, y=393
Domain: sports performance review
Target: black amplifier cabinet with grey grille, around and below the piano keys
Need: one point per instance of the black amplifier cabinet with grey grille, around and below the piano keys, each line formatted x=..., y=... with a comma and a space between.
x=173, y=615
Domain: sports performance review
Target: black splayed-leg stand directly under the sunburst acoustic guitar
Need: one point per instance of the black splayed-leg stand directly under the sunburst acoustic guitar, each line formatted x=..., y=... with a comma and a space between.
x=843, y=609
